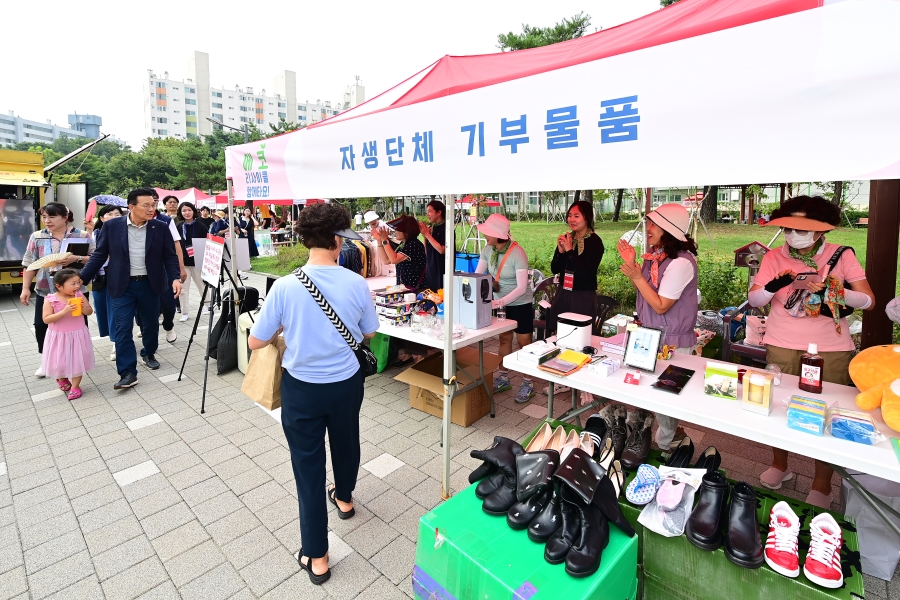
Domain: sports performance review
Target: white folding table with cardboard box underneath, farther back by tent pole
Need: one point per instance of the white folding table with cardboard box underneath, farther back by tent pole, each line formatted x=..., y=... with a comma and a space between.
x=497, y=326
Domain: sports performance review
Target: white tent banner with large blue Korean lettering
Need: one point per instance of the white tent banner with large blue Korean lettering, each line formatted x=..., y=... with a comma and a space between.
x=810, y=96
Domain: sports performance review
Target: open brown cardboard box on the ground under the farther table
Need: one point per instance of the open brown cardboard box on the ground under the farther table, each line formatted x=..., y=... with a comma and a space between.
x=426, y=389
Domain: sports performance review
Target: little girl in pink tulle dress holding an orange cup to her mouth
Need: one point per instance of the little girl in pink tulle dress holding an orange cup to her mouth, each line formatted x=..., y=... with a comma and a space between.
x=68, y=352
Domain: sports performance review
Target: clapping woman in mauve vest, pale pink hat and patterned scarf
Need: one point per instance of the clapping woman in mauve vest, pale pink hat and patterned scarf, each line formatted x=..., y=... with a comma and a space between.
x=666, y=286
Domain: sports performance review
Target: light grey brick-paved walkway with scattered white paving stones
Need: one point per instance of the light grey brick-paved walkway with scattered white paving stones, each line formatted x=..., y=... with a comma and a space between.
x=135, y=494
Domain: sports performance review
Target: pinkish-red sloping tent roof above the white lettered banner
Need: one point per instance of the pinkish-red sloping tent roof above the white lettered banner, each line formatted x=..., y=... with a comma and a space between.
x=686, y=19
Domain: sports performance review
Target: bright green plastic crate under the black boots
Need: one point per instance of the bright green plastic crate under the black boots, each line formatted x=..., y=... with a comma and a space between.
x=481, y=557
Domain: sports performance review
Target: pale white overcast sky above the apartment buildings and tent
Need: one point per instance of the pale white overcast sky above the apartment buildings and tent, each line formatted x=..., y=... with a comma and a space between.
x=92, y=56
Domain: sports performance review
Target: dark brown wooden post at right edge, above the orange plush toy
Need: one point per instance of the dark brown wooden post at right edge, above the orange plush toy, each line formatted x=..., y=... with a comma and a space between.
x=881, y=258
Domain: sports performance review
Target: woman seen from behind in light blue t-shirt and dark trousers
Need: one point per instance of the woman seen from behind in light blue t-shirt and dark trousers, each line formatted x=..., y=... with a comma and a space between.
x=322, y=387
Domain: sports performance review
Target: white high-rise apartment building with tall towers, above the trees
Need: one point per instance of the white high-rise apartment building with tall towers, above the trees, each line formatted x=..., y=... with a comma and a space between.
x=182, y=108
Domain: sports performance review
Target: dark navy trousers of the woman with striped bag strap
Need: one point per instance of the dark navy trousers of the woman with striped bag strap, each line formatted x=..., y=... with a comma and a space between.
x=308, y=410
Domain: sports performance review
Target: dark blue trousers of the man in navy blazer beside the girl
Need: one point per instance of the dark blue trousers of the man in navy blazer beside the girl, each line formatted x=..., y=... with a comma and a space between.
x=138, y=299
